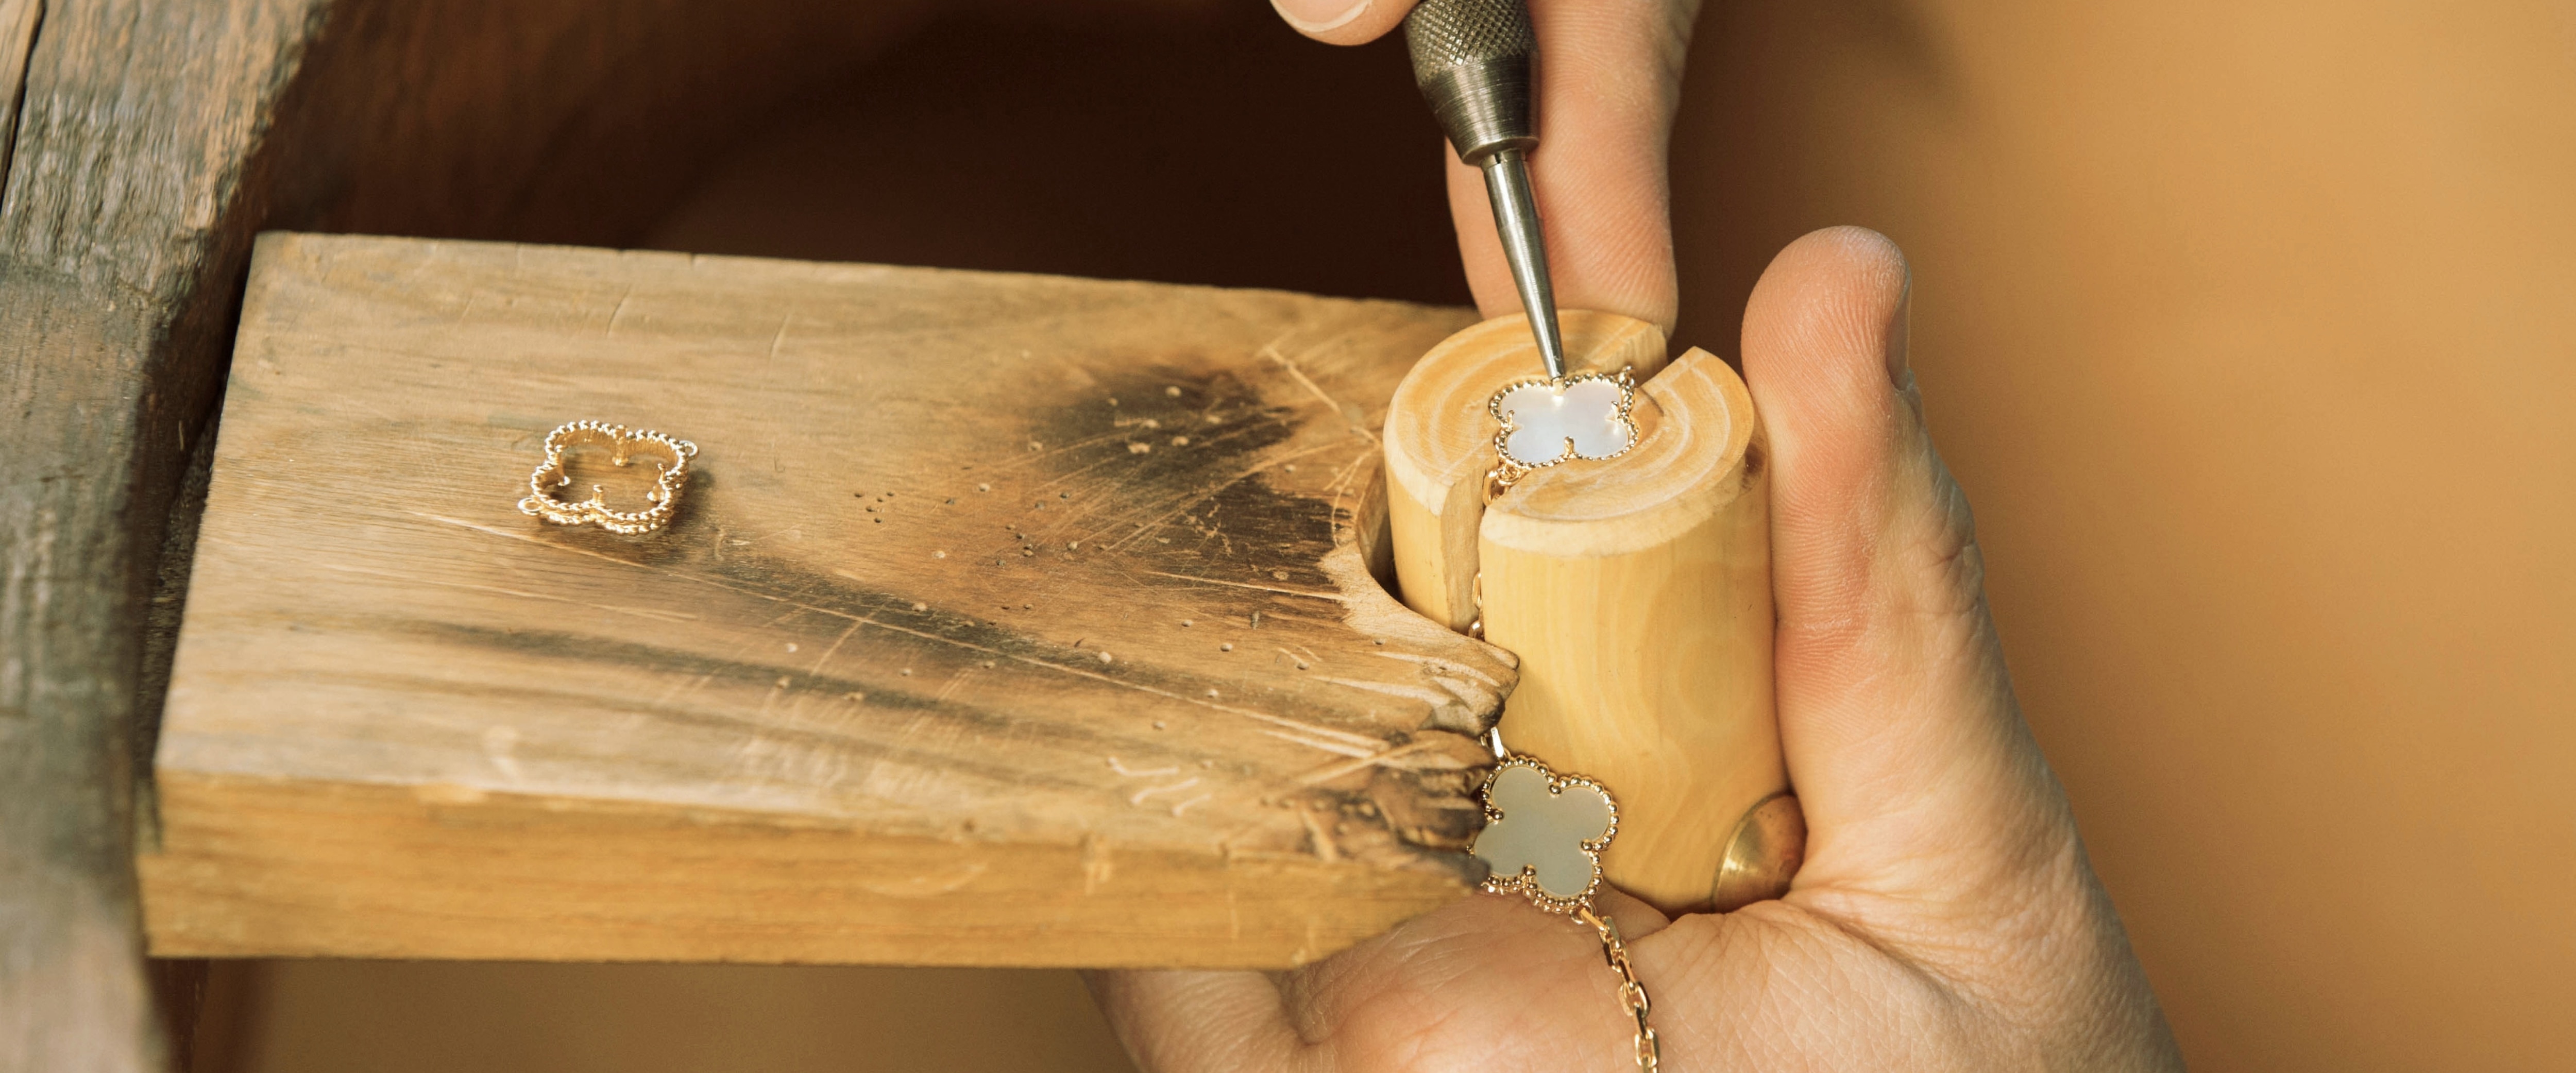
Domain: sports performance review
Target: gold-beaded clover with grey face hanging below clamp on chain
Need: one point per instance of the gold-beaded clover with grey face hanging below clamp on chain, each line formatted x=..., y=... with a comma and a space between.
x=1544, y=835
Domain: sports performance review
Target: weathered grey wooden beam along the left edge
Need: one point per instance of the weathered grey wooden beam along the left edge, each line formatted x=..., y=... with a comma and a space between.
x=104, y=235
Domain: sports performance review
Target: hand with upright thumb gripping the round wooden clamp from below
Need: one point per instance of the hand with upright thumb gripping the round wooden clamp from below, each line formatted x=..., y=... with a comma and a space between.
x=1946, y=917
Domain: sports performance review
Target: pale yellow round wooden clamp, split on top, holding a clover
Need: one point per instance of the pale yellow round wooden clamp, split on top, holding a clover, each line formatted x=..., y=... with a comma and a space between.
x=1634, y=591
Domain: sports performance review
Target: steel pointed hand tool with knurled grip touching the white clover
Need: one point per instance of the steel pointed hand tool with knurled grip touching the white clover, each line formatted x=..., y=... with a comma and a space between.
x=1472, y=60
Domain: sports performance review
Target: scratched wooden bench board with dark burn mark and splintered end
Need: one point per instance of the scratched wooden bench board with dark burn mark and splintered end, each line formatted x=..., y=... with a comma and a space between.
x=1006, y=621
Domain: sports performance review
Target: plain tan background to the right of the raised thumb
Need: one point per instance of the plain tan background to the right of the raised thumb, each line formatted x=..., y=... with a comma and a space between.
x=2250, y=331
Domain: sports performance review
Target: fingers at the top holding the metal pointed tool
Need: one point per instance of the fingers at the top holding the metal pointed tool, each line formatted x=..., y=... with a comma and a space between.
x=1609, y=81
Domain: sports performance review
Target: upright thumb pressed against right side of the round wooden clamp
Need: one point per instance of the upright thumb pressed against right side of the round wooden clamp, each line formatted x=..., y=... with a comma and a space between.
x=1910, y=755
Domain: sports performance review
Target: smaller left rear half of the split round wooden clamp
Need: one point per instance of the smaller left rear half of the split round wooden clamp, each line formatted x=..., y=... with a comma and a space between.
x=1441, y=441
